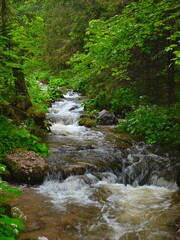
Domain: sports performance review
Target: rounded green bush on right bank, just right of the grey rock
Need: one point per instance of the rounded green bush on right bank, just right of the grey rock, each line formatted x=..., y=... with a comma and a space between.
x=156, y=124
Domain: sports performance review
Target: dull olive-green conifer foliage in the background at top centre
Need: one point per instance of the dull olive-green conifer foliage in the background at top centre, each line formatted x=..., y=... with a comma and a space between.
x=65, y=35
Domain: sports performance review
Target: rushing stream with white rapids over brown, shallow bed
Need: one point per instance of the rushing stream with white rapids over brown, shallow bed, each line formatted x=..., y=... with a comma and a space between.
x=127, y=192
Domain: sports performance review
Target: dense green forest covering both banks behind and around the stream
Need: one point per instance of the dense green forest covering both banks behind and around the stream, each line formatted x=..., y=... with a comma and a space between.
x=123, y=55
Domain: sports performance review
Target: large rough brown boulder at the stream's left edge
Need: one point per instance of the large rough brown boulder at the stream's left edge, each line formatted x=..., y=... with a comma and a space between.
x=27, y=167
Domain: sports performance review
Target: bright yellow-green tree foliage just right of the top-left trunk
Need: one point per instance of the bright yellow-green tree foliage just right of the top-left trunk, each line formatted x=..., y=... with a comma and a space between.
x=28, y=32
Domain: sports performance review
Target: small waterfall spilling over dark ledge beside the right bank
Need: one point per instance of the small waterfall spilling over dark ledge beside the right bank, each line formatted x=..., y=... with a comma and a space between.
x=141, y=166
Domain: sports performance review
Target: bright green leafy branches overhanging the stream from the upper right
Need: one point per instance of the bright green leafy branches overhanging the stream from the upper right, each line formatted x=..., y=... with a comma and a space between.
x=112, y=44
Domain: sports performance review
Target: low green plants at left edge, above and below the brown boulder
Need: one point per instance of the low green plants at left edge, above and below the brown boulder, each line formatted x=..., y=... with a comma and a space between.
x=12, y=137
